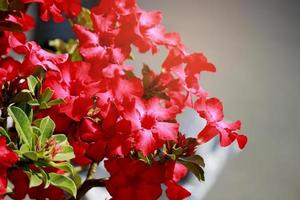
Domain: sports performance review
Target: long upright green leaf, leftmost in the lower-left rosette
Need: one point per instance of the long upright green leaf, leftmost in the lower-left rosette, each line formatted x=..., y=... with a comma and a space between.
x=22, y=124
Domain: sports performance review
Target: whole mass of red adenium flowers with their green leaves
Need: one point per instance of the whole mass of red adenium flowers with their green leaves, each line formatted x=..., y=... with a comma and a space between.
x=85, y=104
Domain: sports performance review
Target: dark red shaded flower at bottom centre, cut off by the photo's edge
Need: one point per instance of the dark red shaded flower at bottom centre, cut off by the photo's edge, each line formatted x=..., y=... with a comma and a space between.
x=133, y=179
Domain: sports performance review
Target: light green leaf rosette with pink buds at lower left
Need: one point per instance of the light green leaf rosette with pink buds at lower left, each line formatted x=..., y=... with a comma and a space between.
x=38, y=145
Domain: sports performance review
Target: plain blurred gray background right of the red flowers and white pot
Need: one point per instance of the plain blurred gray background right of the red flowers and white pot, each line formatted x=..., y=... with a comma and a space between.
x=255, y=46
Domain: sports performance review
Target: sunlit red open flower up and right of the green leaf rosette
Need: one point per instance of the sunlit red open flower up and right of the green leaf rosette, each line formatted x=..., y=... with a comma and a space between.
x=75, y=85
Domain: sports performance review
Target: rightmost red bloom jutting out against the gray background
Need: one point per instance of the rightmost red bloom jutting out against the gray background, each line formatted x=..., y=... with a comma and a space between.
x=212, y=110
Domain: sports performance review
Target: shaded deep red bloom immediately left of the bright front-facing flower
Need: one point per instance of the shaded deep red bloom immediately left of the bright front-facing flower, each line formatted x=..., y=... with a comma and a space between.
x=109, y=137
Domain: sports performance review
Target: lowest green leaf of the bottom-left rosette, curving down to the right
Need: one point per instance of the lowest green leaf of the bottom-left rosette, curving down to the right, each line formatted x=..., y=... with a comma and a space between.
x=63, y=182
